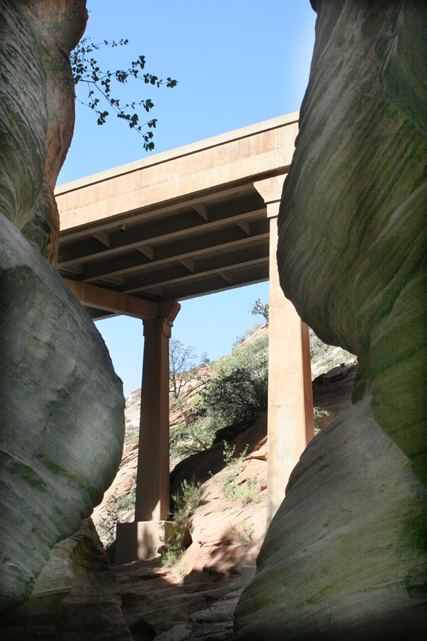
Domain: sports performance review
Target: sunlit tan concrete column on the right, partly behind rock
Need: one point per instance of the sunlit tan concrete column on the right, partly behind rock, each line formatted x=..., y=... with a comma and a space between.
x=290, y=397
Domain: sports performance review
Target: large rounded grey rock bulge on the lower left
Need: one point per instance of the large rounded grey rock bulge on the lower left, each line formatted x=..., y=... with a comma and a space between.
x=61, y=415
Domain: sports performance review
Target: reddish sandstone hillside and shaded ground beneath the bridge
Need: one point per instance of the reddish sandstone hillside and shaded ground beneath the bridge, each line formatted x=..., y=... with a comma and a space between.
x=227, y=527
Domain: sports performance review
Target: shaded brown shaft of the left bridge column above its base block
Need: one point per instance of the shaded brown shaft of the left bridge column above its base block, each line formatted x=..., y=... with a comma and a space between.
x=152, y=484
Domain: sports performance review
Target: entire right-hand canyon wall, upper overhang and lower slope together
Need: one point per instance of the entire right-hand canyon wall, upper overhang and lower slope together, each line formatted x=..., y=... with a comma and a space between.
x=345, y=555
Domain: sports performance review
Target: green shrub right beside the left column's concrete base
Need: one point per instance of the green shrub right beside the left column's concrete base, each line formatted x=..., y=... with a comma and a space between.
x=185, y=503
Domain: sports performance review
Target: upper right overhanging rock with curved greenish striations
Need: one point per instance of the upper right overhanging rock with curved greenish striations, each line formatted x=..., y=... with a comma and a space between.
x=353, y=214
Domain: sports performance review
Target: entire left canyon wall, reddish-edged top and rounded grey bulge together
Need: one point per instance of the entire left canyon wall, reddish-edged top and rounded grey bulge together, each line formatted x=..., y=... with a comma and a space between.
x=61, y=411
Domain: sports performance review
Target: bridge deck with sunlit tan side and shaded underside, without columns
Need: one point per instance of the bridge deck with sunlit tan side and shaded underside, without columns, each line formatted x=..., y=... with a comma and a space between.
x=177, y=225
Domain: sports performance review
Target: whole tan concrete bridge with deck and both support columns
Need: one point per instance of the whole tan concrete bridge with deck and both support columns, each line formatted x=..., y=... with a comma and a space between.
x=199, y=219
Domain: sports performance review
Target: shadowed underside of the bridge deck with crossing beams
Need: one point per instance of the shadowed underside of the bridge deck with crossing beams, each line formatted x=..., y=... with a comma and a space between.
x=180, y=251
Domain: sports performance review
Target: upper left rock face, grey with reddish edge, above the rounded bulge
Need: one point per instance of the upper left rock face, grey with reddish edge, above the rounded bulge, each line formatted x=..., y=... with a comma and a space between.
x=36, y=129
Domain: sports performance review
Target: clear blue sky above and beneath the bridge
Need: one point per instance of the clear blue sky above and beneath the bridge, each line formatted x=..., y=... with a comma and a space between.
x=237, y=62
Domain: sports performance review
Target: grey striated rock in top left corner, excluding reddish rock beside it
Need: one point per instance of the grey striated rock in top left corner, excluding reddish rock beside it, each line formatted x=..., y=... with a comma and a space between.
x=23, y=115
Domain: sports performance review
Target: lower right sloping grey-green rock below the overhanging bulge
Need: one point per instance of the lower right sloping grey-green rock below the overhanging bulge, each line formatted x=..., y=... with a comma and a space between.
x=345, y=555
